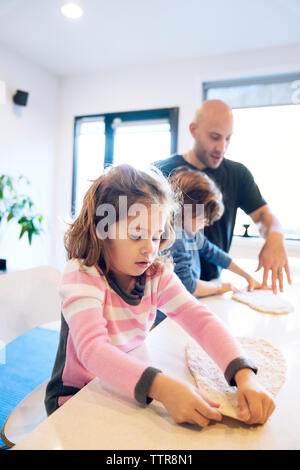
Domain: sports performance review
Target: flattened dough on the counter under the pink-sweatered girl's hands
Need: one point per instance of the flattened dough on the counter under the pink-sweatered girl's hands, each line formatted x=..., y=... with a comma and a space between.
x=211, y=382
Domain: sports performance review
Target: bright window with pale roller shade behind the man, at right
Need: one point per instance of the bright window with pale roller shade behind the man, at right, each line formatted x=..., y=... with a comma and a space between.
x=266, y=127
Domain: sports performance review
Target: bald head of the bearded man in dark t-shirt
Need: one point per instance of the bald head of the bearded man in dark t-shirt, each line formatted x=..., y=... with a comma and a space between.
x=211, y=129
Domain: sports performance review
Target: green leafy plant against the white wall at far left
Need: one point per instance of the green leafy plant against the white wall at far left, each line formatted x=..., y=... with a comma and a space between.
x=14, y=204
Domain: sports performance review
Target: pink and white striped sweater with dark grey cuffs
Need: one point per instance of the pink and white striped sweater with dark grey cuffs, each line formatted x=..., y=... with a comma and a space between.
x=100, y=324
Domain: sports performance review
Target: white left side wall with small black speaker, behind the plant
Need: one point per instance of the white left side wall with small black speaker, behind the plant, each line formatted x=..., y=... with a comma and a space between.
x=28, y=139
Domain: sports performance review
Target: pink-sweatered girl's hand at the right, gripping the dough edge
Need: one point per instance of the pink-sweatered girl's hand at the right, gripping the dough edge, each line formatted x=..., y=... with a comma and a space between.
x=255, y=403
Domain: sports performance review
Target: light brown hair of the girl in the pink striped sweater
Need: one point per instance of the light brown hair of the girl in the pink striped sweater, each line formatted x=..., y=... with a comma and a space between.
x=147, y=186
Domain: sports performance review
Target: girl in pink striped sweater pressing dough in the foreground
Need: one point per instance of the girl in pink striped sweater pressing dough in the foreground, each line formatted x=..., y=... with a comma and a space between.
x=111, y=288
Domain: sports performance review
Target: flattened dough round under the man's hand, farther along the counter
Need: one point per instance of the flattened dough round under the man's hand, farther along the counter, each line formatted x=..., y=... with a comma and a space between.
x=264, y=301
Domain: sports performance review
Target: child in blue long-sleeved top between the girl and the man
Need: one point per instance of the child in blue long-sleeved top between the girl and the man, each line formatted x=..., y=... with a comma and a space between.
x=199, y=191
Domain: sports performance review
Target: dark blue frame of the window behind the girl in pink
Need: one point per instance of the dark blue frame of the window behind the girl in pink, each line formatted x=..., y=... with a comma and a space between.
x=171, y=114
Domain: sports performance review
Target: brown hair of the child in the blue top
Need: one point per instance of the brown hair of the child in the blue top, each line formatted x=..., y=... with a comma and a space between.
x=198, y=188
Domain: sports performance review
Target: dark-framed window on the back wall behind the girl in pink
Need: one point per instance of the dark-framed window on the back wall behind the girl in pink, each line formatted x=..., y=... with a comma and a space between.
x=137, y=137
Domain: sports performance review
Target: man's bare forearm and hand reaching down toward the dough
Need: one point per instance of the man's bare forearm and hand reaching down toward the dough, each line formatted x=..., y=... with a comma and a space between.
x=273, y=255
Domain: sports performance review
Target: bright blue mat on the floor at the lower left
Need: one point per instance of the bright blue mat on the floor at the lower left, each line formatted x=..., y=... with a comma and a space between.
x=26, y=362
